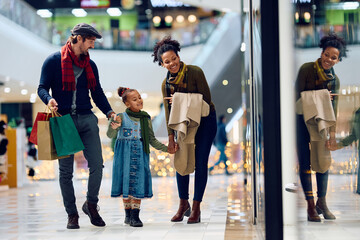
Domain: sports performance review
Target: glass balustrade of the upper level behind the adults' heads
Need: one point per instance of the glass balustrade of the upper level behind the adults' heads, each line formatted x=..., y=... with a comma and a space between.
x=114, y=39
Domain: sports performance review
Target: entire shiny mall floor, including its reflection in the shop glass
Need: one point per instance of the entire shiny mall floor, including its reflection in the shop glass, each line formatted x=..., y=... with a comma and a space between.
x=35, y=211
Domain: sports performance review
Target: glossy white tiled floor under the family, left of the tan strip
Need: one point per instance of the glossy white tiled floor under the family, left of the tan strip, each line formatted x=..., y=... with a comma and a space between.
x=35, y=211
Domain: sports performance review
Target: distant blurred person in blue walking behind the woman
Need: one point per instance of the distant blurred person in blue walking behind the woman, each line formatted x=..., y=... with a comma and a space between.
x=220, y=142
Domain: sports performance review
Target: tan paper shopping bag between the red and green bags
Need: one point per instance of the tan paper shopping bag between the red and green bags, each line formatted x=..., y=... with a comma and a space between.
x=46, y=147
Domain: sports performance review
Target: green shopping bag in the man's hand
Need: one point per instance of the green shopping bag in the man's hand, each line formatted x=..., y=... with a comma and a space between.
x=66, y=137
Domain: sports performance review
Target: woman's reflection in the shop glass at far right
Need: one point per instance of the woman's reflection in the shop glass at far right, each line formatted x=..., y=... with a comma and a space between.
x=314, y=76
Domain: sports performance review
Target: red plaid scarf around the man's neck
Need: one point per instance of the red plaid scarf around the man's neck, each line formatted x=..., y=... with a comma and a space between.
x=68, y=57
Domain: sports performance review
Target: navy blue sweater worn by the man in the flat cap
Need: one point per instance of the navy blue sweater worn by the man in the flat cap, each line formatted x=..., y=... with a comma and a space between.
x=51, y=78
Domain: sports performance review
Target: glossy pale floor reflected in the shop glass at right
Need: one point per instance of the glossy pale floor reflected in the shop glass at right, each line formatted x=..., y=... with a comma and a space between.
x=343, y=203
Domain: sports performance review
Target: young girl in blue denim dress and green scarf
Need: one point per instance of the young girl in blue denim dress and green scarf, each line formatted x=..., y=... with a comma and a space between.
x=131, y=173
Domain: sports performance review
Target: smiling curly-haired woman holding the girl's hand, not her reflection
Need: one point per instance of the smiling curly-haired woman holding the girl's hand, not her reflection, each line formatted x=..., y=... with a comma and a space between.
x=187, y=79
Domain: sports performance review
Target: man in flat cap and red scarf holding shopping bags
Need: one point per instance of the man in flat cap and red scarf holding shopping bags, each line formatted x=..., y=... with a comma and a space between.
x=71, y=75
